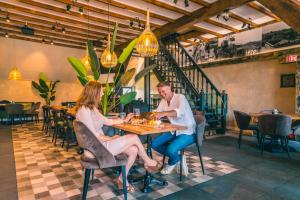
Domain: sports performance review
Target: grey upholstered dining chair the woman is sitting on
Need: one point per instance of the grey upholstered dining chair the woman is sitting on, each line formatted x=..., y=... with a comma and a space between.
x=100, y=156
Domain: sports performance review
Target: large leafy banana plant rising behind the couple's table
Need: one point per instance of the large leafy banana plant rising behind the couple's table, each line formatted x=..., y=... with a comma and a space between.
x=111, y=98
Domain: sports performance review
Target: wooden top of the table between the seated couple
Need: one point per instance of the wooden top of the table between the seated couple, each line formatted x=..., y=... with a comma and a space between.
x=143, y=129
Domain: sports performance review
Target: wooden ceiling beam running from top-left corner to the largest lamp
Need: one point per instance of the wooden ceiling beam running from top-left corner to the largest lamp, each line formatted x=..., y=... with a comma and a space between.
x=62, y=18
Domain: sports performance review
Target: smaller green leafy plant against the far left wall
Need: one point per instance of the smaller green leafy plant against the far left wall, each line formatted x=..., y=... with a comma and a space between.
x=47, y=91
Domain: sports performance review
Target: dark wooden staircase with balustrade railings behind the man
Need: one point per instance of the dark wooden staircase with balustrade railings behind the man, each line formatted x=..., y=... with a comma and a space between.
x=176, y=66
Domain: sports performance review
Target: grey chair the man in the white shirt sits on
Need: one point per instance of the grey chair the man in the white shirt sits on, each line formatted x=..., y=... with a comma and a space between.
x=200, y=130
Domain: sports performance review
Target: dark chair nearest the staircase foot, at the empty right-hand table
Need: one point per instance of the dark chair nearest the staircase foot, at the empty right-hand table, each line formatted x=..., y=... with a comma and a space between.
x=243, y=122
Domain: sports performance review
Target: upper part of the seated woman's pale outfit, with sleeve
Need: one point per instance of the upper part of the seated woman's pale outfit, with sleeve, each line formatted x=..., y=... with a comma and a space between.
x=94, y=120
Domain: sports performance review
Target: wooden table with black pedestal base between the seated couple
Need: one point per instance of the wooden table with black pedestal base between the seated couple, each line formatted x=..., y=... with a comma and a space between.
x=148, y=131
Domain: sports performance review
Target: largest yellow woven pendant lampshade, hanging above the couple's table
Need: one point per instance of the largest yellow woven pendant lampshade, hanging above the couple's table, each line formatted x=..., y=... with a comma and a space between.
x=147, y=44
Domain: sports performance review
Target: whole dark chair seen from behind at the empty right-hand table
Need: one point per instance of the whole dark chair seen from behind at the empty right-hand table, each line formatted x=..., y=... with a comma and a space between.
x=277, y=127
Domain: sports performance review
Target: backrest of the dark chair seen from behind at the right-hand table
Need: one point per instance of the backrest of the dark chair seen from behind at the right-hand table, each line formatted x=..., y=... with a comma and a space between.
x=275, y=125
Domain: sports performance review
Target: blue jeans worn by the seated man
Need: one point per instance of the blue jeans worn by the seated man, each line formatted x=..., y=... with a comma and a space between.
x=169, y=145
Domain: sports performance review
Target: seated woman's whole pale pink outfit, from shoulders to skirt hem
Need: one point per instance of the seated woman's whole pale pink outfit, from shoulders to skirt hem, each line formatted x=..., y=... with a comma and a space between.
x=94, y=120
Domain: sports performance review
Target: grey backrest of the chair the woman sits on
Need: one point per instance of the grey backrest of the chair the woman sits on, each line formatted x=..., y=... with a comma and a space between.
x=88, y=141
